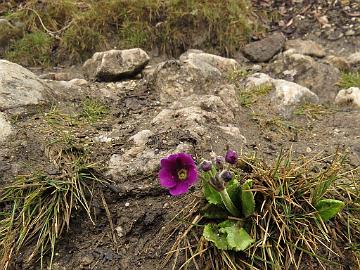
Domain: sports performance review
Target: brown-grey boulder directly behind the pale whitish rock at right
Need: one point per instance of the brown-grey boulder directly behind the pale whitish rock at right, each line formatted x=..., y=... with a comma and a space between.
x=320, y=78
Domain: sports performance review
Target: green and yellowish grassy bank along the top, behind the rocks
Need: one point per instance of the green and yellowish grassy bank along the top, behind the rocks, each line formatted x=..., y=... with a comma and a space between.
x=76, y=29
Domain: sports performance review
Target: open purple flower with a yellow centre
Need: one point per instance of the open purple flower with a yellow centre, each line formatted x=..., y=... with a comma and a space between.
x=177, y=173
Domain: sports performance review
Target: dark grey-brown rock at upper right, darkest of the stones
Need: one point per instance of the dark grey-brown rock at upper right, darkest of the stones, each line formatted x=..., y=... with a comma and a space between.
x=265, y=49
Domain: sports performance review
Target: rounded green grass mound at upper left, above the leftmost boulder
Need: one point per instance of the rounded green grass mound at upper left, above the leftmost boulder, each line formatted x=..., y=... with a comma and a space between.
x=33, y=49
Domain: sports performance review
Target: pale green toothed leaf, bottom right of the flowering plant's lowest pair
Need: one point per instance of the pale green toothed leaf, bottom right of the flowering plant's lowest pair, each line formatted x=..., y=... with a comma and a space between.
x=237, y=237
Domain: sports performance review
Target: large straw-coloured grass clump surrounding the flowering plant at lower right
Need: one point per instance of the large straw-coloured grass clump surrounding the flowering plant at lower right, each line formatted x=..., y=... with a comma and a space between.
x=286, y=225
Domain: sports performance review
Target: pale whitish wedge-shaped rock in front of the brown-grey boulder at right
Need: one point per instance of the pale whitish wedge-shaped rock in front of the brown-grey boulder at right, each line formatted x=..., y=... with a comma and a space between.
x=287, y=94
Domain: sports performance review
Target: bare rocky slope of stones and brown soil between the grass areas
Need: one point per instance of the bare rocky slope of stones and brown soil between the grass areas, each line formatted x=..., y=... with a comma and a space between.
x=199, y=103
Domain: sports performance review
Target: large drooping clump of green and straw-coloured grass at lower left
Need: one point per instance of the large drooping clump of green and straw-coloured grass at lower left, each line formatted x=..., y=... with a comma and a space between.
x=39, y=207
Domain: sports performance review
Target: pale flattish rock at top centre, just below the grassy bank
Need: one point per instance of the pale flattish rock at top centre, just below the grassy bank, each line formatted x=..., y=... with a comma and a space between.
x=209, y=65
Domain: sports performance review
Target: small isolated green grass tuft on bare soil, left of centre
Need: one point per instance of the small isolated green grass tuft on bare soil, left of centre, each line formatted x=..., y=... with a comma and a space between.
x=93, y=110
